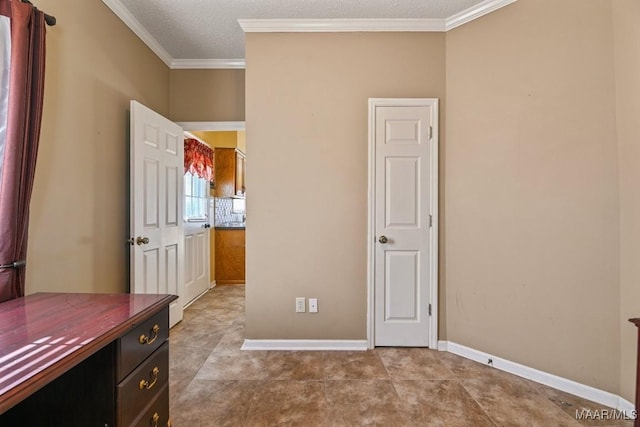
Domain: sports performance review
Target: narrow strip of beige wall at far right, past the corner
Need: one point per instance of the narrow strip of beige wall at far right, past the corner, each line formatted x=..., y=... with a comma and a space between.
x=626, y=15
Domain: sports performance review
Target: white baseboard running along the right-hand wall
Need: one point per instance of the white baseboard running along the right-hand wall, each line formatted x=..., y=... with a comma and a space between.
x=587, y=392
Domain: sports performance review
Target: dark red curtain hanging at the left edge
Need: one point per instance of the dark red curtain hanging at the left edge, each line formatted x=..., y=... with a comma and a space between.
x=20, y=146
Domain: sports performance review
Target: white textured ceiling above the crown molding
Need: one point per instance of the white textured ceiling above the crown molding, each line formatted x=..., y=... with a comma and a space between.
x=209, y=29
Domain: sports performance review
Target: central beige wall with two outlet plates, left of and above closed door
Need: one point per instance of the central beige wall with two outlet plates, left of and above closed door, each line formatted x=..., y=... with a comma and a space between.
x=307, y=170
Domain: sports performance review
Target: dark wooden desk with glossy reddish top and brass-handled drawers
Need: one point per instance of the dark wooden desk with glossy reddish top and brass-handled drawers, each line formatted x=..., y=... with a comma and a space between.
x=77, y=359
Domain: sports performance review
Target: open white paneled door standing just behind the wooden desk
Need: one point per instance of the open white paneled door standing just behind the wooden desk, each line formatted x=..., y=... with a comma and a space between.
x=157, y=245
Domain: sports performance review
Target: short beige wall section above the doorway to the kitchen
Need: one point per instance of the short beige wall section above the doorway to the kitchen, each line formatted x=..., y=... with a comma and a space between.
x=207, y=95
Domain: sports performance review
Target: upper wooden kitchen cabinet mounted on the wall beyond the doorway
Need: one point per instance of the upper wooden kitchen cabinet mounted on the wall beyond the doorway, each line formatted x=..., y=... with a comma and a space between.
x=229, y=173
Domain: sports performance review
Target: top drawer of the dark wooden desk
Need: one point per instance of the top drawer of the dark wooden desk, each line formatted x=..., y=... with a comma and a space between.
x=141, y=341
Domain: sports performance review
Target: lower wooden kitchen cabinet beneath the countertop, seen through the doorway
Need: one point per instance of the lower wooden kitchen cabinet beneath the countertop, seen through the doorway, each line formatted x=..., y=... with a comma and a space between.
x=230, y=256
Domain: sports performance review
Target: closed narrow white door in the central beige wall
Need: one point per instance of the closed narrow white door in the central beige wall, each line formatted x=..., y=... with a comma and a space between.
x=403, y=212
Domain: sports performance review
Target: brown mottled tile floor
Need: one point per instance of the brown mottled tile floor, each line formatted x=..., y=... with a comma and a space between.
x=214, y=383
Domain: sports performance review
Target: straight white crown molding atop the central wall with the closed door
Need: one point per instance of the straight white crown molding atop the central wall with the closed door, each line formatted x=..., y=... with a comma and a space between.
x=340, y=25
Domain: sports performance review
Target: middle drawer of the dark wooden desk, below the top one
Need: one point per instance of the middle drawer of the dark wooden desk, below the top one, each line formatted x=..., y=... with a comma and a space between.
x=142, y=386
